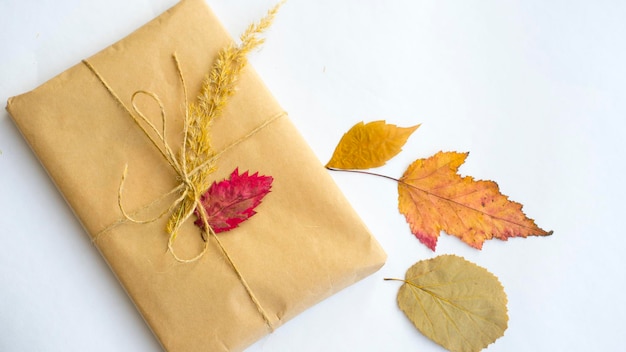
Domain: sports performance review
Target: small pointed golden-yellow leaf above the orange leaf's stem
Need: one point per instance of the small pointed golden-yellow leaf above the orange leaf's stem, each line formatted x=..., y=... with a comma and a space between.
x=369, y=145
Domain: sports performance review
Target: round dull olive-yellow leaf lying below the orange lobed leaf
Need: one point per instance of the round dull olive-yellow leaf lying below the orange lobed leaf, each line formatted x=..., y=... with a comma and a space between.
x=454, y=302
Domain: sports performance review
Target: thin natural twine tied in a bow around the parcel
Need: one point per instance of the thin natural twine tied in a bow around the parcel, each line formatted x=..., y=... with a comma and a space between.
x=186, y=188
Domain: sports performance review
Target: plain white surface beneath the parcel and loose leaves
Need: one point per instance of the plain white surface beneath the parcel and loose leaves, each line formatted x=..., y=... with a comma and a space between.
x=534, y=89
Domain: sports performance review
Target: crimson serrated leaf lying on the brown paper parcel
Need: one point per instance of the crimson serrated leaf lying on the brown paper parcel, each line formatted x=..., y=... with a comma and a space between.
x=232, y=201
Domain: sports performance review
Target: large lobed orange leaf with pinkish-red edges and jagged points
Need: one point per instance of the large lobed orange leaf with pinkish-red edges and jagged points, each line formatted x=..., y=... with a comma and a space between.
x=433, y=197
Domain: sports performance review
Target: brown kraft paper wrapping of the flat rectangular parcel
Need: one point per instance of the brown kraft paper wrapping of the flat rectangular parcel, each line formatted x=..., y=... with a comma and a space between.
x=304, y=244
